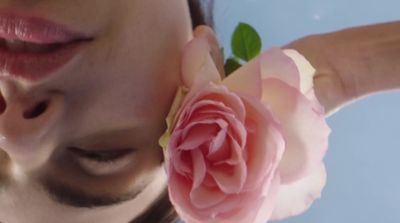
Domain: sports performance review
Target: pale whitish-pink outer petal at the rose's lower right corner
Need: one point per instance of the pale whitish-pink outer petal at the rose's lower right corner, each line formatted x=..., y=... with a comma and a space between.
x=297, y=197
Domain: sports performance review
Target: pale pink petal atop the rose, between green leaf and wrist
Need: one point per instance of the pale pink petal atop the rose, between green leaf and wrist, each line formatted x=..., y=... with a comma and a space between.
x=276, y=64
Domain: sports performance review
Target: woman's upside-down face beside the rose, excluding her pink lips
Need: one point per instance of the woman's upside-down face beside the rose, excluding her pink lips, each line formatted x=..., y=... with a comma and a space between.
x=112, y=95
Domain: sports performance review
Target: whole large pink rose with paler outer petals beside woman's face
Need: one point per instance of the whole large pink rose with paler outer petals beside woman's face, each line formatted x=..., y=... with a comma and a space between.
x=249, y=148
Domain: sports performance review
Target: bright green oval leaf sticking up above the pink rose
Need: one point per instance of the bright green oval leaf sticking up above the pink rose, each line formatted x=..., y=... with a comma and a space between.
x=246, y=43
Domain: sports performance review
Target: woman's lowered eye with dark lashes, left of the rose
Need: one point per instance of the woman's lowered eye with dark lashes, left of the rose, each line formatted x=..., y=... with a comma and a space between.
x=103, y=162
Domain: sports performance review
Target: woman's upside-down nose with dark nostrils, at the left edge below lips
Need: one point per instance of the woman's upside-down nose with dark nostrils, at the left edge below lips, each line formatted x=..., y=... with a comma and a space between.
x=26, y=125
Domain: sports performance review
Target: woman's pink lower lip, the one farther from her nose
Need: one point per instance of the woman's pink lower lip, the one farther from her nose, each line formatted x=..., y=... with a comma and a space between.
x=36, y=30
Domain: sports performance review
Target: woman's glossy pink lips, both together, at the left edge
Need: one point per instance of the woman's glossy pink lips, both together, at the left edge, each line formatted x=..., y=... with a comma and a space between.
x=34, y=66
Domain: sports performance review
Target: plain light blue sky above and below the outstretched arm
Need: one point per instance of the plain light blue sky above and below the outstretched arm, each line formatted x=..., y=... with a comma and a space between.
x=363, y=159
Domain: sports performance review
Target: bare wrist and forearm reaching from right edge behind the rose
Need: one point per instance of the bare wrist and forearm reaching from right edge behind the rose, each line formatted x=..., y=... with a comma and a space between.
x=353, y=63
